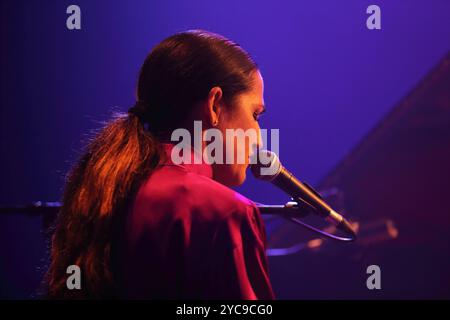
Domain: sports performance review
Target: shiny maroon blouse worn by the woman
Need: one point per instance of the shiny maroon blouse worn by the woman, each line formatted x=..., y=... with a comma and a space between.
x=187, y=236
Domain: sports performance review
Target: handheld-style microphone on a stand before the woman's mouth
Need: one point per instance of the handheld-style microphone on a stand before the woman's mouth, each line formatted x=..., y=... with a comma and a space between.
x=268, y=167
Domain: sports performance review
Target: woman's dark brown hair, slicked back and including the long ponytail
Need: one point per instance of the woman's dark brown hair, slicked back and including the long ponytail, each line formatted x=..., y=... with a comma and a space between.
x=178, y=72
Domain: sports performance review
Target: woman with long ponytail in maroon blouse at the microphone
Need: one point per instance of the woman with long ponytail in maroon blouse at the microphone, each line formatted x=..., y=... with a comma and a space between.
x=140, y=225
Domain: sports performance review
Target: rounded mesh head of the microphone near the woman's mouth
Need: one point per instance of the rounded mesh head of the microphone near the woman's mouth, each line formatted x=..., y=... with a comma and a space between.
x=265, y=165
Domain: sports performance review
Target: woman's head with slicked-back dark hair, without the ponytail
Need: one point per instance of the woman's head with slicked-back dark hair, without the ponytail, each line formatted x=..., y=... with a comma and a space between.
x=198, y=75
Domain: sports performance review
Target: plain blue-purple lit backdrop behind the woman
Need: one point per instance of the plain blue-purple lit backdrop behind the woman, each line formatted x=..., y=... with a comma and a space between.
x=328, y=81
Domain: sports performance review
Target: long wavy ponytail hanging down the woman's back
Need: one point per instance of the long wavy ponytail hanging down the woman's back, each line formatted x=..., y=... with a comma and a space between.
x=95, y=198
